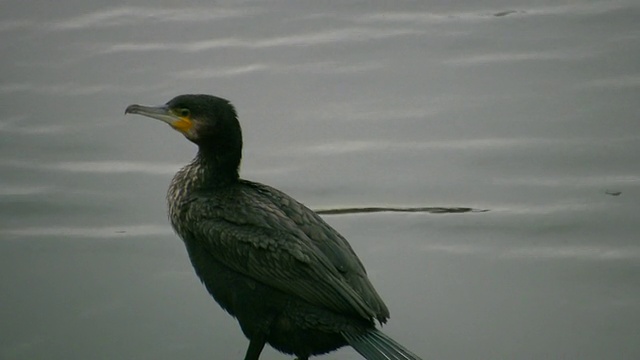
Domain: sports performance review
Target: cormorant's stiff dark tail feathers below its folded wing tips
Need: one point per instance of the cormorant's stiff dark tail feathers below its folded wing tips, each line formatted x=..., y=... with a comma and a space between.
x=375, y=345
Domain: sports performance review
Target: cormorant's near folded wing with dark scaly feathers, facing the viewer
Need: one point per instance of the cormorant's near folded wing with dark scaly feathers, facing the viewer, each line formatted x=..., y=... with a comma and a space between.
x=253, y=236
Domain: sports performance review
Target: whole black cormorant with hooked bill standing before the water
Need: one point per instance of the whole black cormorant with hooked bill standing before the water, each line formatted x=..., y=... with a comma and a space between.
x=289, y=278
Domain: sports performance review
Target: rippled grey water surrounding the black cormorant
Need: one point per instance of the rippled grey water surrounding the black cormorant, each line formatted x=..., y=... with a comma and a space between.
x=528, y=109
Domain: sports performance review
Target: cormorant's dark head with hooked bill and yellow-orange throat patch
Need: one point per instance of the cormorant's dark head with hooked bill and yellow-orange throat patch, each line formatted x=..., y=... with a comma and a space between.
x=206, y=120
